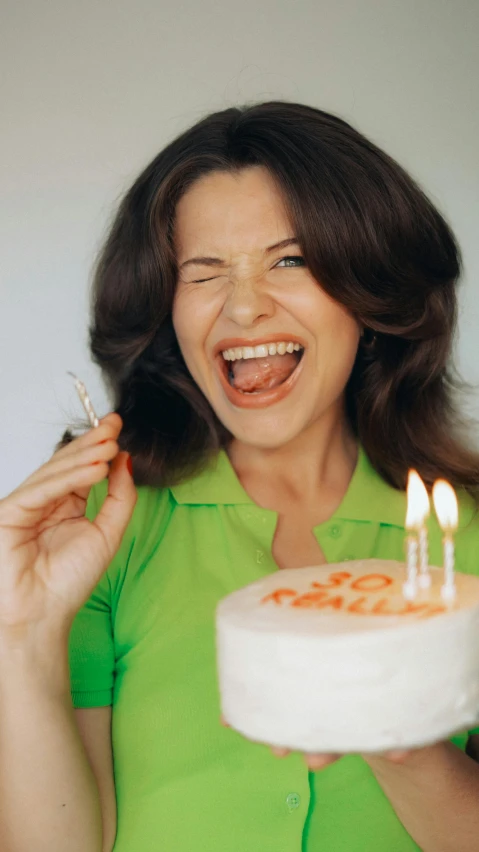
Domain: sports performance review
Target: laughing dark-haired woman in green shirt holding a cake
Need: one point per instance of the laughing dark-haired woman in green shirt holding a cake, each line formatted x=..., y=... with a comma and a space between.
x=273, y=311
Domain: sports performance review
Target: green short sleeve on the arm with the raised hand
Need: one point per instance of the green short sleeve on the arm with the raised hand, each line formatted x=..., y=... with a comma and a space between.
x=91, y=644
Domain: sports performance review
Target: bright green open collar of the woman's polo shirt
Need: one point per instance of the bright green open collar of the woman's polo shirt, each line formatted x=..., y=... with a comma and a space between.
x=368, y=498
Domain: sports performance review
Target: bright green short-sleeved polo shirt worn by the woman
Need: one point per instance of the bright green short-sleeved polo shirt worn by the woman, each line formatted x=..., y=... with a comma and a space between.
x=145, y=643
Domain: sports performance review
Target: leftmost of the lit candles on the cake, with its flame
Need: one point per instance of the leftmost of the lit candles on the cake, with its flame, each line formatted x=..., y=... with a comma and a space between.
x=418, y=508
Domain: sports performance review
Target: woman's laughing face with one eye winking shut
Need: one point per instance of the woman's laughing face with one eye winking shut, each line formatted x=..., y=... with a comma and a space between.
x=244, y=303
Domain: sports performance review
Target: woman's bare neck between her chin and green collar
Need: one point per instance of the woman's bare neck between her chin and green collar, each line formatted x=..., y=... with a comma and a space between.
x=322, y=457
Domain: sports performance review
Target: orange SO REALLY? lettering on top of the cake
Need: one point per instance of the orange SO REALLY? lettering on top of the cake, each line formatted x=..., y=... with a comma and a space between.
x=324, y=596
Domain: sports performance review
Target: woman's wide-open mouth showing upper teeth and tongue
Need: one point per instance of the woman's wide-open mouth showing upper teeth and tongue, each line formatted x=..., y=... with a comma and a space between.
x=260, y=373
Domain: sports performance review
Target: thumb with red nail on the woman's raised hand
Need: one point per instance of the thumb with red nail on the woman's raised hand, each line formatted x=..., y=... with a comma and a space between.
x=117, y=509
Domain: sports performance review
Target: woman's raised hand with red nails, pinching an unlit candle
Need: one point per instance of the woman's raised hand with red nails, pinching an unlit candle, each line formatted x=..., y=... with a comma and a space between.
x=51, y=556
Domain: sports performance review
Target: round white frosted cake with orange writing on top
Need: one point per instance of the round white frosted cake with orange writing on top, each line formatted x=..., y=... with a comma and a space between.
x=334, y=659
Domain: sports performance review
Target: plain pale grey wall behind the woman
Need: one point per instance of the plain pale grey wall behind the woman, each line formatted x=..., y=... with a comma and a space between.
x=91, y=91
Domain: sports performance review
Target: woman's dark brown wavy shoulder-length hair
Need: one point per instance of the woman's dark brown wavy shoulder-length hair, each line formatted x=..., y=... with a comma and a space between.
x=367, y=232
